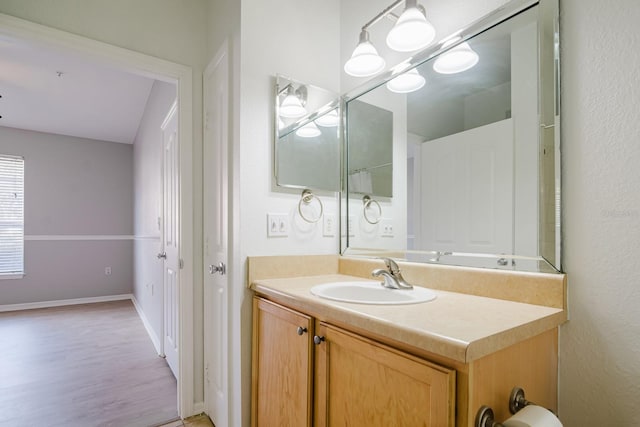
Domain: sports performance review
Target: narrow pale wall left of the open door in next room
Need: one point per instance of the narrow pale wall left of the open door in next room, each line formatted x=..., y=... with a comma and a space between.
x=147, y=164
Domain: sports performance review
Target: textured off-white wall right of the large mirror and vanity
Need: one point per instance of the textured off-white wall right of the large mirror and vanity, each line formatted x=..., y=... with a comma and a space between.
x=599, y=346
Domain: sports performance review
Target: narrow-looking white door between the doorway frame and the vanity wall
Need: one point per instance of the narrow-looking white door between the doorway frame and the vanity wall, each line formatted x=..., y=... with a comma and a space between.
x=216, y=294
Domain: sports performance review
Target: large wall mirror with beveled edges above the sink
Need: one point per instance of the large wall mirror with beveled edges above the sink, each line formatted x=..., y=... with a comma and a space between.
x=476, y=165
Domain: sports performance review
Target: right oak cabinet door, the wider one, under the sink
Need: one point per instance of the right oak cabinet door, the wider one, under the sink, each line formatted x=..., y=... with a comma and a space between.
x=363, y=383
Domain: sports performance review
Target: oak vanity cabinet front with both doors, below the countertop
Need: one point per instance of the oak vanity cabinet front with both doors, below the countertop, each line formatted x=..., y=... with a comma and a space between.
x=356, y=381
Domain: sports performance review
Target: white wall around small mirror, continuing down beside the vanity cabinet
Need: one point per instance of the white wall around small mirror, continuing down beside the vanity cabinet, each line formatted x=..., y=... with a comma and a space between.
x=299, y=39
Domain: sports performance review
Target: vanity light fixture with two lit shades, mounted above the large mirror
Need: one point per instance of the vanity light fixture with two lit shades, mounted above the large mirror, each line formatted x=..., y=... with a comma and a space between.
x=412, y=31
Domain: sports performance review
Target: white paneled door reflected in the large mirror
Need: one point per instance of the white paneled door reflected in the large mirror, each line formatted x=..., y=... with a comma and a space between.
x=467, y=185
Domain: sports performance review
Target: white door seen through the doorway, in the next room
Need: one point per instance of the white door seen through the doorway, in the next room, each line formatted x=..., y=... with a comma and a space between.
x=170, y=197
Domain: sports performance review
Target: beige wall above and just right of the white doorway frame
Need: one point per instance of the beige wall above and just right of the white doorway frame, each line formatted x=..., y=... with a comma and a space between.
x=167, y=29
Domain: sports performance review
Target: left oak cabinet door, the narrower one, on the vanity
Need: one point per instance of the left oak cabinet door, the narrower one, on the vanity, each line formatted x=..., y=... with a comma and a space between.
x=282, y=366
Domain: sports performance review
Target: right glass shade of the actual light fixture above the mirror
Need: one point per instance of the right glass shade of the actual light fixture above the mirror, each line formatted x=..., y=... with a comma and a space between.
x=411, y=32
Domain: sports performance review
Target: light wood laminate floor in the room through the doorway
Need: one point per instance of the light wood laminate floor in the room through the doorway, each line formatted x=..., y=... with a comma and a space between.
x=82, y=366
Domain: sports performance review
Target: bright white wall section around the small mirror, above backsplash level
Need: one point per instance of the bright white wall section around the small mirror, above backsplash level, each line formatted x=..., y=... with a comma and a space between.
x=279, y=37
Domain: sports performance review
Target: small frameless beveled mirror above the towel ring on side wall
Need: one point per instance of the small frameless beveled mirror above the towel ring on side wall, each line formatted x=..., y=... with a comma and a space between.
x=307, y=136
